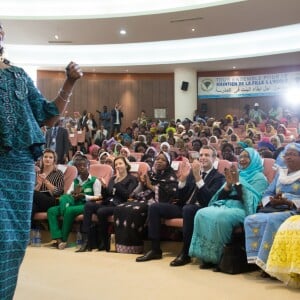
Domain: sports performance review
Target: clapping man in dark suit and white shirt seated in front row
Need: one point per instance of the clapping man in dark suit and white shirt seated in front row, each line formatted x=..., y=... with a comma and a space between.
x=196, y=188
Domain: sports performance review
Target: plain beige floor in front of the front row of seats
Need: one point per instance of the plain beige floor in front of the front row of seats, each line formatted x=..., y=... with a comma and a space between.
x=53, y=274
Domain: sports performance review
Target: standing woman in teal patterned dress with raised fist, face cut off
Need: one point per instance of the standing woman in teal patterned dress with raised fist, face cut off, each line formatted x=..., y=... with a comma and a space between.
x=23, y=111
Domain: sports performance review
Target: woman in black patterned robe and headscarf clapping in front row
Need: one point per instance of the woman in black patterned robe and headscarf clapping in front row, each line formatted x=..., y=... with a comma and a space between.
x=158, y=185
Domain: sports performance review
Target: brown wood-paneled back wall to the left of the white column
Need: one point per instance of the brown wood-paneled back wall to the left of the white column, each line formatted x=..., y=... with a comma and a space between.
x=134, y=92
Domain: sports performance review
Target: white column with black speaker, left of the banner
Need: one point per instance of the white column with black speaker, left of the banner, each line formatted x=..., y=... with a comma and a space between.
x=185, y=102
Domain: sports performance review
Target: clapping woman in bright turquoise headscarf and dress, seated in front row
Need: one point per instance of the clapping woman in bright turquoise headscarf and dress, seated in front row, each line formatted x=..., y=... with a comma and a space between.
x=237, y=198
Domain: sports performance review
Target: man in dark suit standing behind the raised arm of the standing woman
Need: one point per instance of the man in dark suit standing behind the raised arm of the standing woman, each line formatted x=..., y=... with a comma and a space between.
x=57, y=139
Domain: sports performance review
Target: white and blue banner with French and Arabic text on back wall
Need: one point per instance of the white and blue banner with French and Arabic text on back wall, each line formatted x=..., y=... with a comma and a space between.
x=247, y=86
